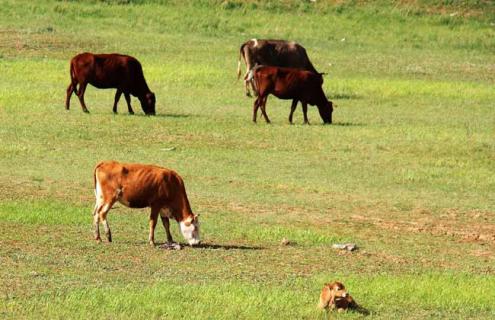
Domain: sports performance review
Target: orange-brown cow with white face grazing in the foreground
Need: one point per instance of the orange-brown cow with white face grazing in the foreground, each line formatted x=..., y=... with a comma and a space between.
x=141, y=186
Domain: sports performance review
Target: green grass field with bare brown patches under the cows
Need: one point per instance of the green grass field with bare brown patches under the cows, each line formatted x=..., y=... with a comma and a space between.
x=407, y=170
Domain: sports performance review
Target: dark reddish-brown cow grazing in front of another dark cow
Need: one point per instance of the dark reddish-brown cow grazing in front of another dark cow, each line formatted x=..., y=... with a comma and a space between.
x=290, y=83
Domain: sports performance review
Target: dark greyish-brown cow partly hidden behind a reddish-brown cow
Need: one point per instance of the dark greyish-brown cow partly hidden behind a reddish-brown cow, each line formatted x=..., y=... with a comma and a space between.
x=278, y=53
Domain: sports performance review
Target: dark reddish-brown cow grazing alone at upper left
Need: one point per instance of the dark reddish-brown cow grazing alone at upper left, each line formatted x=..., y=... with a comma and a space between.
x=110, y=71
